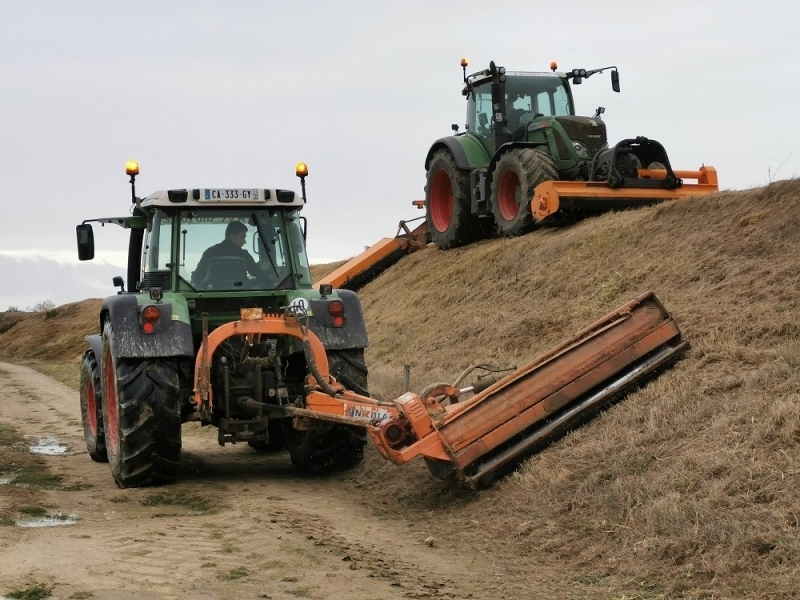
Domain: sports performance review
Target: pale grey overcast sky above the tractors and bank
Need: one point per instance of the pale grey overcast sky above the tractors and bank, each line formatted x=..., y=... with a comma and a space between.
x=233, y=94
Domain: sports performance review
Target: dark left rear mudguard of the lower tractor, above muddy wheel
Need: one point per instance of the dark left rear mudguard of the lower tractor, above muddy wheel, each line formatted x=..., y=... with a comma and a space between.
x=170, y=337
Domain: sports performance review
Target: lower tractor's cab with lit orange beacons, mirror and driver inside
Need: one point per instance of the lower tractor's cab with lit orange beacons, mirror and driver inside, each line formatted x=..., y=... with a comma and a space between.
x=207, y=240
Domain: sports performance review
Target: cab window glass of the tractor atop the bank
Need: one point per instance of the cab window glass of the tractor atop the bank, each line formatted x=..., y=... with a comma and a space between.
x=526, y=95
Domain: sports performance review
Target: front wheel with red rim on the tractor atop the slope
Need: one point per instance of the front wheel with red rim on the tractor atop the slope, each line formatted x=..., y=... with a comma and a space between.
x=516, y=175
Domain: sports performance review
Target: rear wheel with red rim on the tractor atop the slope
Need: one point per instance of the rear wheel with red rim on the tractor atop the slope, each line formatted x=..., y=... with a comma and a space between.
x=447, y=204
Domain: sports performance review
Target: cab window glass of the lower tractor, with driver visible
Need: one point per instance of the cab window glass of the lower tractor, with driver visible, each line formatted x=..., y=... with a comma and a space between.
x=232, y=249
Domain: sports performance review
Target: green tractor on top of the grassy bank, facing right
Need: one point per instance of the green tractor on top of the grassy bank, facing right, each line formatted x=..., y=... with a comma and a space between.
x=521, y=131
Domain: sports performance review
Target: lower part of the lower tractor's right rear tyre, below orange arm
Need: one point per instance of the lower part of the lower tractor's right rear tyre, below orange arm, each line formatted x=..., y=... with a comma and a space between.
x=334, y=449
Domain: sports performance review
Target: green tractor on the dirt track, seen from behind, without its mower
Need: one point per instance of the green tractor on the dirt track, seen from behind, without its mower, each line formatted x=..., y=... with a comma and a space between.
x=138, y=378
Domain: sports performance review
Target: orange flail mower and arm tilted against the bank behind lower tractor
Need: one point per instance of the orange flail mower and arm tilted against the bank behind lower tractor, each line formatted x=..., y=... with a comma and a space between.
x=484, y=436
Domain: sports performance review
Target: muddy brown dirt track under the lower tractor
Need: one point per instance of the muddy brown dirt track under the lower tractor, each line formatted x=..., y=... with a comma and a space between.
x=236, y=525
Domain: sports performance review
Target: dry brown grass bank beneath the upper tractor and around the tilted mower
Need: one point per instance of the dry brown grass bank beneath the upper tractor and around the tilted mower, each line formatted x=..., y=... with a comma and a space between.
x=690, y=487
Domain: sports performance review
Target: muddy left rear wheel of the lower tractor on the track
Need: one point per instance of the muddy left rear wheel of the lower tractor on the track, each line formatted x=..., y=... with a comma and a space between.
x=141, y=416
